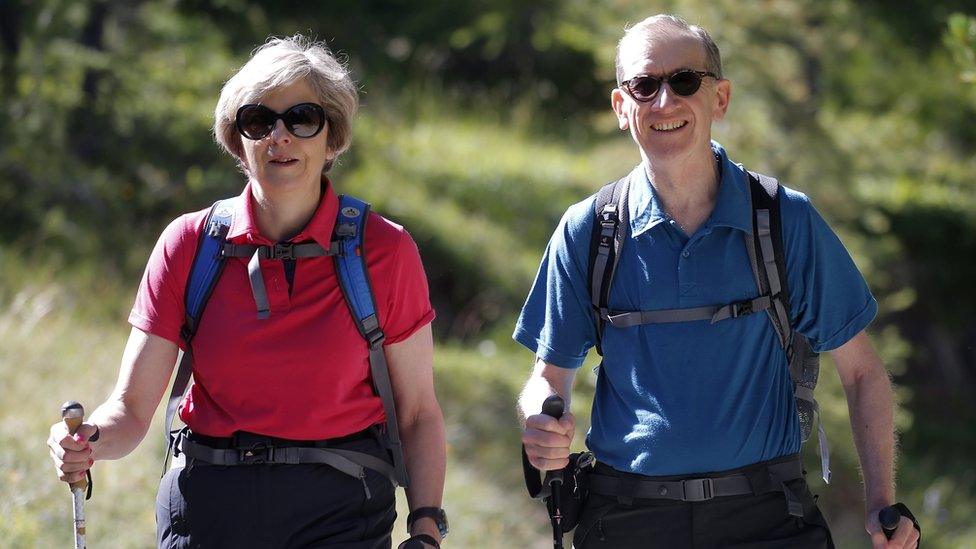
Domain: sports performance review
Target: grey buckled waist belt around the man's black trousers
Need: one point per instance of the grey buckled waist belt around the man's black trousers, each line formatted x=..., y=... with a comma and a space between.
x=763, y=477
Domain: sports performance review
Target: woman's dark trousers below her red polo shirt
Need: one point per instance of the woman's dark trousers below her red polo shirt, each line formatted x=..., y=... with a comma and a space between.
x=304, y=505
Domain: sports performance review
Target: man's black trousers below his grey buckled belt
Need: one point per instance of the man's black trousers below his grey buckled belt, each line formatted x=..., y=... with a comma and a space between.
x=750, y=521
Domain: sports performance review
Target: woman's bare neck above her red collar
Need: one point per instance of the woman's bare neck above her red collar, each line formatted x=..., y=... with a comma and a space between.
x=280, y=216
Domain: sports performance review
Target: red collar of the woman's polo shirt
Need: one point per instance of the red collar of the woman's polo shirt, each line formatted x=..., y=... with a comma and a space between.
x=244, y=227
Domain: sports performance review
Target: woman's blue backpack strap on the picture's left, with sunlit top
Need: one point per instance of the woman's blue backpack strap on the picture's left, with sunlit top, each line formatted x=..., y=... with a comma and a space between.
x=208, y=263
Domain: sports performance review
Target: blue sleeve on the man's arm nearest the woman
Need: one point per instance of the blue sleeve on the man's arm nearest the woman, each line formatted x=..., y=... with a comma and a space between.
x=556, y=322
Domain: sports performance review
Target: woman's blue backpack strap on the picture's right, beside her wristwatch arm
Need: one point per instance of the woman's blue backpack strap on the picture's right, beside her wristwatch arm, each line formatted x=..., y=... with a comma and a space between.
x=350, y=265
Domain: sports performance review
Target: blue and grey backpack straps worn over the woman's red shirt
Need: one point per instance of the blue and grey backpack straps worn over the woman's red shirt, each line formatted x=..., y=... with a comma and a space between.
x=349, y=257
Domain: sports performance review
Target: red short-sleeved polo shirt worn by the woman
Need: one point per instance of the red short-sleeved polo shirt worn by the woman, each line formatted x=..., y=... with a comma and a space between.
x=303, y=373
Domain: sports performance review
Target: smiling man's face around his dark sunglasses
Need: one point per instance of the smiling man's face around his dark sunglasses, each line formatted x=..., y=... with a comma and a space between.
x=669, y=127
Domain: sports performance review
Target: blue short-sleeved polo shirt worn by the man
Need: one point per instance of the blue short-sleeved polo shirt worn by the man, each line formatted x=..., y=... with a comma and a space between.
x=692, y=397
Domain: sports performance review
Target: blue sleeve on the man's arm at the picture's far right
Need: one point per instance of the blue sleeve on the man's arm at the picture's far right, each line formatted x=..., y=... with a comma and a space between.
x=830, y=300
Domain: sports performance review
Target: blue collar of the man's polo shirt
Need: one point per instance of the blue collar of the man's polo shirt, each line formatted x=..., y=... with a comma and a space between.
x=732, y=205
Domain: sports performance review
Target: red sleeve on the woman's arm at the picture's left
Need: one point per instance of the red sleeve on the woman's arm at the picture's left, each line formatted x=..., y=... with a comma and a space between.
x=158, y=307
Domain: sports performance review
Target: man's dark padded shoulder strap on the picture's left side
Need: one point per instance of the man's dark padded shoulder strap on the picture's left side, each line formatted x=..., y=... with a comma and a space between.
x=610, y=229
